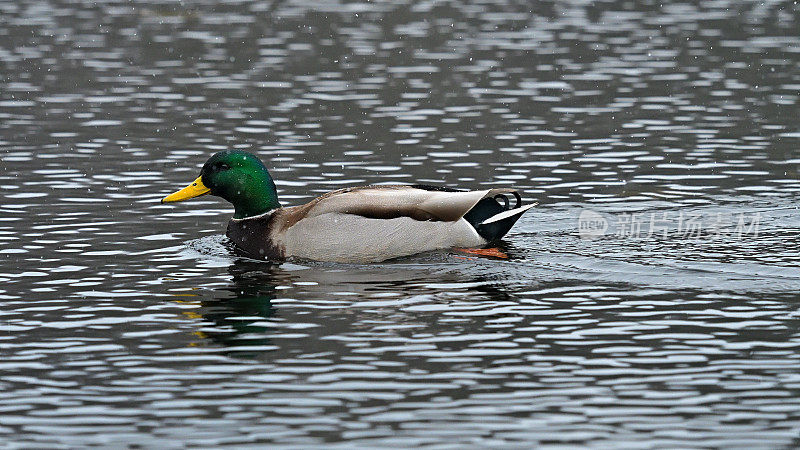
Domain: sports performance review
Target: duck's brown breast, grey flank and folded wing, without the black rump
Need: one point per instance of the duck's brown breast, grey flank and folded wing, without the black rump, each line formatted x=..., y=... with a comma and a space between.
x=365, y=224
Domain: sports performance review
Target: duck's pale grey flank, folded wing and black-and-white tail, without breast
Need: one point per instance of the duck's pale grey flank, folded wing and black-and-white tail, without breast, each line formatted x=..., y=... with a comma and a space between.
x=376, y=223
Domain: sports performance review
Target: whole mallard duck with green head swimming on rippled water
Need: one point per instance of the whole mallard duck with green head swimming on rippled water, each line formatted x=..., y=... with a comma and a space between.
x=359, y=224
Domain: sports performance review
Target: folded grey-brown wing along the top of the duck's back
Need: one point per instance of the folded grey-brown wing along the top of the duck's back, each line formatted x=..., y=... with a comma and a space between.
x=417, y=202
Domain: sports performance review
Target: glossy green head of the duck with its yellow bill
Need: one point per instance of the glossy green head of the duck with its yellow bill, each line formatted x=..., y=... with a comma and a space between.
x=238, y=177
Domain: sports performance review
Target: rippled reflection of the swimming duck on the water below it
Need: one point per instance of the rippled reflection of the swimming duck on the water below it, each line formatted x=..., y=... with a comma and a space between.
x=242, y=318
